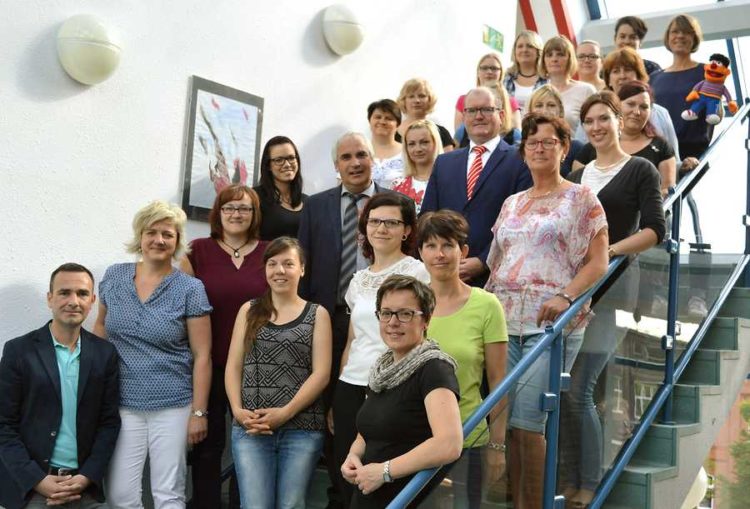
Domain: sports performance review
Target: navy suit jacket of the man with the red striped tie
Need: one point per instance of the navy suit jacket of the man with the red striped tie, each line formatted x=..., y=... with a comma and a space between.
x=504, y=174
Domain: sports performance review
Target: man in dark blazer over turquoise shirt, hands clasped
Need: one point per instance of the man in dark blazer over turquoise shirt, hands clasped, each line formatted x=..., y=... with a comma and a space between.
x=59, y=399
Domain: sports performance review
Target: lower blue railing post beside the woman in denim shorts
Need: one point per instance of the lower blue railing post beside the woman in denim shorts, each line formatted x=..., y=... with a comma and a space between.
x=550, y=403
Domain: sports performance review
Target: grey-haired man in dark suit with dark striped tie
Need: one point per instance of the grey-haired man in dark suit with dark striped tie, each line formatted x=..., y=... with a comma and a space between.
x=320, y=234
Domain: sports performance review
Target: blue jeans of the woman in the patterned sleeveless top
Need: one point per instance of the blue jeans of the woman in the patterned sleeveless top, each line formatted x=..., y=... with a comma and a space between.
x=274, y=471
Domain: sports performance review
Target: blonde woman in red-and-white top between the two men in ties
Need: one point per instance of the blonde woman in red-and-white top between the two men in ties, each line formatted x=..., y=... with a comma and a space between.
x=420, y=149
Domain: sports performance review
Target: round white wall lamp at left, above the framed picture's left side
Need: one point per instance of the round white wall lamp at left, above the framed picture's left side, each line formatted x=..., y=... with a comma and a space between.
x=88, y=50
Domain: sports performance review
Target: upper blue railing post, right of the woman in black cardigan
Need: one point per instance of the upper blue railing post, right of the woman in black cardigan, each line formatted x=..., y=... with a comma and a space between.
x=673, y=247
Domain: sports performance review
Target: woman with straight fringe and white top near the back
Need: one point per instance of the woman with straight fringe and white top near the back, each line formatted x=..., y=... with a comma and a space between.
x=558, y=65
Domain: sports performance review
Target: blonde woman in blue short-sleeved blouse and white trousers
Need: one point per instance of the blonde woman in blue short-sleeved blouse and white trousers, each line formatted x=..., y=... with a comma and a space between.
x=158, y=319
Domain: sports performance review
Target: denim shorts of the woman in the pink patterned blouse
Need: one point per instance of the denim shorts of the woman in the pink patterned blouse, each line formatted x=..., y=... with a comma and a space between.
x=525, y=408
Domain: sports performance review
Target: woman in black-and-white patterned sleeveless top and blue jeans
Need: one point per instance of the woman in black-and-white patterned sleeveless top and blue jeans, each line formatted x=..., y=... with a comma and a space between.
x=278, y=365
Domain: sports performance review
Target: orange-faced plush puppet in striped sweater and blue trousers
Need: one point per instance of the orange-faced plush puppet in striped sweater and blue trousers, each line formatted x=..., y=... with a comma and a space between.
x=707, y=94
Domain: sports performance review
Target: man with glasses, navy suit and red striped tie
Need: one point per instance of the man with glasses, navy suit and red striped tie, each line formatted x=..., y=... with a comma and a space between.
x=477, y=188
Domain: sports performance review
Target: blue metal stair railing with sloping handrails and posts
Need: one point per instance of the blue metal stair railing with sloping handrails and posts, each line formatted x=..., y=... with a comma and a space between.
x=672, y=371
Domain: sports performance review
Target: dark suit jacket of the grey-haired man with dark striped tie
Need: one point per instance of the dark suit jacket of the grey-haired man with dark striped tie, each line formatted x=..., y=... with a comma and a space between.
x=320, y=236
